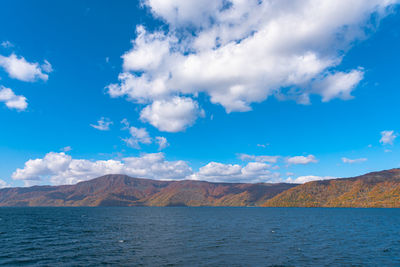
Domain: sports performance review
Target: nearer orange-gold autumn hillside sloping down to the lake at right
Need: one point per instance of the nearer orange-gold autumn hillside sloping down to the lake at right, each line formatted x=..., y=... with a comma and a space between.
x=376, y=189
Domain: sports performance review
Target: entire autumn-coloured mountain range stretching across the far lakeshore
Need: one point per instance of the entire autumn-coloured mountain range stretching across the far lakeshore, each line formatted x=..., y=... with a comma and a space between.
x=376, y=189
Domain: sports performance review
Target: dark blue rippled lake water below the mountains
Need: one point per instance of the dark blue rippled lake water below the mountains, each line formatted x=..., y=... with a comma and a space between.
x=180, y=236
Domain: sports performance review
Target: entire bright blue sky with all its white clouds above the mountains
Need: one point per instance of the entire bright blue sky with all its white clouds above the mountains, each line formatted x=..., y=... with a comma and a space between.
x=222, y=91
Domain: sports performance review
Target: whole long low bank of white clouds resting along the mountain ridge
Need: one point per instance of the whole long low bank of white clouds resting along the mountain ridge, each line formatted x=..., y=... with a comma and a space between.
x=60, y=168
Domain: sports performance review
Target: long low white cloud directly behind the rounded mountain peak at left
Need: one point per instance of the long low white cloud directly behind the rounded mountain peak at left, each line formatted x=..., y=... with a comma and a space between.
x=60, y=168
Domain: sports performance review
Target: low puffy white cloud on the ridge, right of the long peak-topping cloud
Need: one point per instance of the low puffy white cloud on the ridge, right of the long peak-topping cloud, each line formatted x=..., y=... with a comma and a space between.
x=219, y=172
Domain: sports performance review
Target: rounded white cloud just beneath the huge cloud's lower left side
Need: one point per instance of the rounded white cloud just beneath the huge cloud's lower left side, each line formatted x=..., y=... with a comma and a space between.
x=172, y=115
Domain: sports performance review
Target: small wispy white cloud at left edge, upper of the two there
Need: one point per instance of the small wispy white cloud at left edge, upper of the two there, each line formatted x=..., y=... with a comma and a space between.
x=19, y=68
